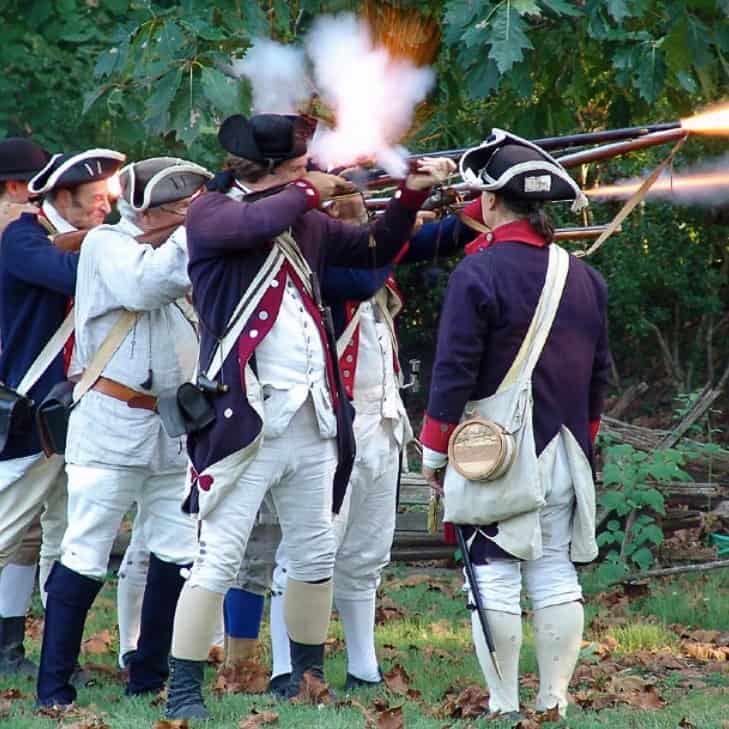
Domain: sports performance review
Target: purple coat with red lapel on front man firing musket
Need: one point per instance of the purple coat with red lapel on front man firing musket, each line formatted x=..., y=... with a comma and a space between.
x=228, y=241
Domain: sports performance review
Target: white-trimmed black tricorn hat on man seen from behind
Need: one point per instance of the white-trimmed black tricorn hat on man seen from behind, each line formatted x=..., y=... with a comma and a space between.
x=516, y=168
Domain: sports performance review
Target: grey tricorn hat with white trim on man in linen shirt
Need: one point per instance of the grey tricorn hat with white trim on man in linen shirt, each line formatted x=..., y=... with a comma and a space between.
x=160, y=180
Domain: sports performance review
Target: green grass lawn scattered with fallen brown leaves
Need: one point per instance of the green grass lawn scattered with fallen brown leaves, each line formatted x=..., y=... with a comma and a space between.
x=665, y=649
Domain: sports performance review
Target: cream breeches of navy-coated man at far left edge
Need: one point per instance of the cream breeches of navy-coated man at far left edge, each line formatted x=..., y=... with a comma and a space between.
x=27, y=486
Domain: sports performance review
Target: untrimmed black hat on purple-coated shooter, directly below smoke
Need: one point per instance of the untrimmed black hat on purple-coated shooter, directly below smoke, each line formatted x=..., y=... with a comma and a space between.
x=265, y=138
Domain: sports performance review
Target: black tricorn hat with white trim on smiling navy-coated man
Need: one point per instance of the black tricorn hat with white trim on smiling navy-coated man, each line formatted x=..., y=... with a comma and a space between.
x=76, y=168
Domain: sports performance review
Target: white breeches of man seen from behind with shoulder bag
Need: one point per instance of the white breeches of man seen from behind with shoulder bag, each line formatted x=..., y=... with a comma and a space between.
x=551, y=579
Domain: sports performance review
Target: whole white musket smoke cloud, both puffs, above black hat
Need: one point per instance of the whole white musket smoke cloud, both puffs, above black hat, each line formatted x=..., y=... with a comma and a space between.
x=372, y=94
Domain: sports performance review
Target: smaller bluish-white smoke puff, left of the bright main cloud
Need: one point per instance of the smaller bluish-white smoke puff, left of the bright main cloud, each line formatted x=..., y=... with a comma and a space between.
x=277, y=74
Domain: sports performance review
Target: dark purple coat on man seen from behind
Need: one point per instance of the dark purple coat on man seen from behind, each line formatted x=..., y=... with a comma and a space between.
x=489, y=304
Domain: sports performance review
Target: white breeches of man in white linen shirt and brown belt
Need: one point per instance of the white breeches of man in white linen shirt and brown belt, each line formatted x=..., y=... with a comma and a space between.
x=99, y=498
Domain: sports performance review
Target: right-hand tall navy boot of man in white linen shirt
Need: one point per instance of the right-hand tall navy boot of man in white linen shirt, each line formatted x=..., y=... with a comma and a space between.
x=149, y=664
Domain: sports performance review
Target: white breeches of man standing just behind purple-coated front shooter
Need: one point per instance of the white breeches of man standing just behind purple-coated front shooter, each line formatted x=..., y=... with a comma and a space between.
x=365, y=526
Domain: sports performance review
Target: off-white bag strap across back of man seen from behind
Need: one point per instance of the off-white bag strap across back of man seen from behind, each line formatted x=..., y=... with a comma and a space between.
x=541, y=324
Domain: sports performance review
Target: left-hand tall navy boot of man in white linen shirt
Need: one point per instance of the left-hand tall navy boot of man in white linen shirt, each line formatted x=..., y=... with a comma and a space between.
x=70, y=596
